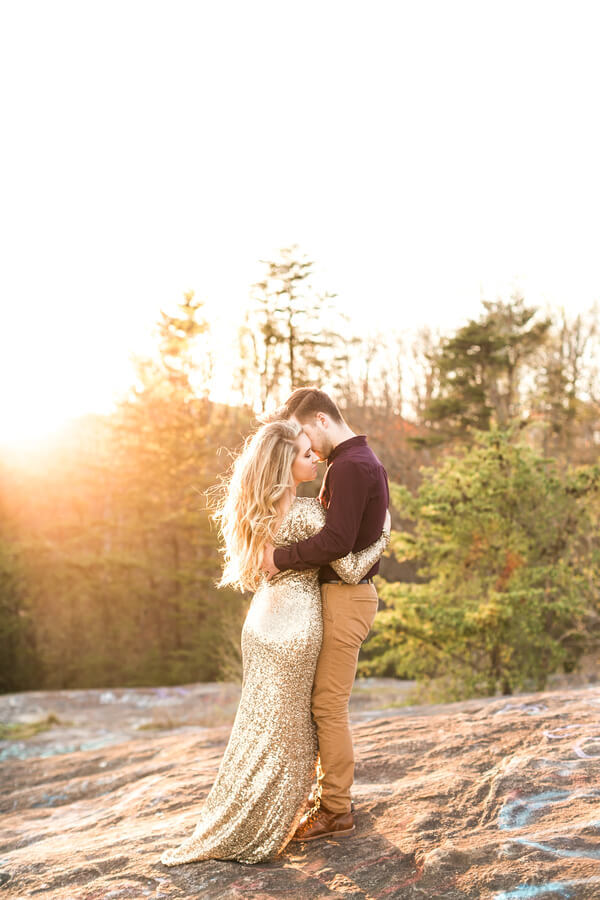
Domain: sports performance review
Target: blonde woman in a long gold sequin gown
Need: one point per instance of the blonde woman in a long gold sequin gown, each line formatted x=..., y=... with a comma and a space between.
x=266, y=774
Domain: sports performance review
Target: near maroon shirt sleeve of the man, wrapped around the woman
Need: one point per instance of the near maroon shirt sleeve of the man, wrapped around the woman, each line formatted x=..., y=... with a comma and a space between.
x=348, y=484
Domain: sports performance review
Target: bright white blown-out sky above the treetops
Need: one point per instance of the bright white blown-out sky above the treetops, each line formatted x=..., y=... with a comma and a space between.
x=424, y=154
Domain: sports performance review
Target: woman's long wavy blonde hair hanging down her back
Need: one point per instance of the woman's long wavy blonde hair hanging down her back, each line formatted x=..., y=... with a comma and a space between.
x=248, y=512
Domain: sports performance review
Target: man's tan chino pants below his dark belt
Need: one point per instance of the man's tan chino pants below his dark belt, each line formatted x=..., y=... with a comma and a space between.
x=348, y=613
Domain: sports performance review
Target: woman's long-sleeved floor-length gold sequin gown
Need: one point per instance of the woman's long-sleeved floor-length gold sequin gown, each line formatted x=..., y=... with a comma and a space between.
x=267, y=771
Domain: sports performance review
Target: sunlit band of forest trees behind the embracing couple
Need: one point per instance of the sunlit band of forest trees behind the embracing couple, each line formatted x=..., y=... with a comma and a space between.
x=490, y=436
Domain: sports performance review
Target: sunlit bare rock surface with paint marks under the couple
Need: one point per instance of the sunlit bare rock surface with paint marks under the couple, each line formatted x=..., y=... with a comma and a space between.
x=493, y=798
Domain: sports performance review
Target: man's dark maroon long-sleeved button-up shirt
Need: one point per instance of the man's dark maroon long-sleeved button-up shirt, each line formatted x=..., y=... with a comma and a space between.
x=356, y=495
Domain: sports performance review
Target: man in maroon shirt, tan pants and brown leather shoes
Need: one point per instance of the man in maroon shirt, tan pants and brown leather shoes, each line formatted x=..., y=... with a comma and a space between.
x=355, y=493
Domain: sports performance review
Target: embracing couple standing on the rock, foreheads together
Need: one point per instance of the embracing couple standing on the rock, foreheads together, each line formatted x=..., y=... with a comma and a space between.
x=310, y=563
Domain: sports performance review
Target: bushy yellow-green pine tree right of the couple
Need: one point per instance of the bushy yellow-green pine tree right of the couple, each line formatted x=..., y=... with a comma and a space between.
x=509, y=577
